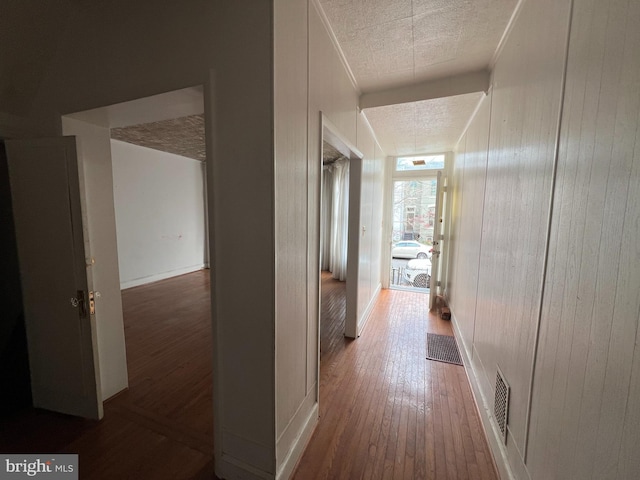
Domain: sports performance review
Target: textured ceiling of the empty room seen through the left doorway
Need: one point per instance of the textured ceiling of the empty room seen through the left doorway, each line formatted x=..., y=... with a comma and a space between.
x=181, y=136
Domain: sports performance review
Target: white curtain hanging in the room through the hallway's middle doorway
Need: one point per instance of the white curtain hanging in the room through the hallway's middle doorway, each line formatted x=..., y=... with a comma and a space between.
x=339, y=219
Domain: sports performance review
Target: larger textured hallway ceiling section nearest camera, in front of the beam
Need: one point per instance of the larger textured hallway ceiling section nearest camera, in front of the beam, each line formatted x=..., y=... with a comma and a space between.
x=391, y=43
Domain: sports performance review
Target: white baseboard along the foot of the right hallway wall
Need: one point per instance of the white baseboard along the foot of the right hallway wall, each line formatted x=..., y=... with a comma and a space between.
x=496, y=444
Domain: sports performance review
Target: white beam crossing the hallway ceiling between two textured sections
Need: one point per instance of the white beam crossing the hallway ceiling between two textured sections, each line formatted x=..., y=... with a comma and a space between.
x=442, y=87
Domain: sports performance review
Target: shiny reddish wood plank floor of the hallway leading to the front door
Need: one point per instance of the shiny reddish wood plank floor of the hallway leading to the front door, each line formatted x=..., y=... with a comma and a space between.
x=386, y=411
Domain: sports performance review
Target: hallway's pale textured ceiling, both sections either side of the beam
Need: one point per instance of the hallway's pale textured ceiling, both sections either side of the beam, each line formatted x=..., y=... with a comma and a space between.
x=397, y=43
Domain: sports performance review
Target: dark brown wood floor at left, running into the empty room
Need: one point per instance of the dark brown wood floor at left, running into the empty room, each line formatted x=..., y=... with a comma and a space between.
x=162, y=426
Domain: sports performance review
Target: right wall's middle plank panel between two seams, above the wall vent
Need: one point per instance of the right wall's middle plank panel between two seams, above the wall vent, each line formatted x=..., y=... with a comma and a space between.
x=525, y=103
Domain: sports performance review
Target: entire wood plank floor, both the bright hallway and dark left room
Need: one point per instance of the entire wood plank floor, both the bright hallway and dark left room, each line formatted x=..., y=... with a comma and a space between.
x=386, y=411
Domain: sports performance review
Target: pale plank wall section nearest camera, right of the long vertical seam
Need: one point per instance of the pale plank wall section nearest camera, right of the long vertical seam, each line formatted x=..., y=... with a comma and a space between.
x=585, y=420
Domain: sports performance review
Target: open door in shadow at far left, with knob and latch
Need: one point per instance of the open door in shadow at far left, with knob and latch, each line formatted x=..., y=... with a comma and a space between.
x=60, y=326
